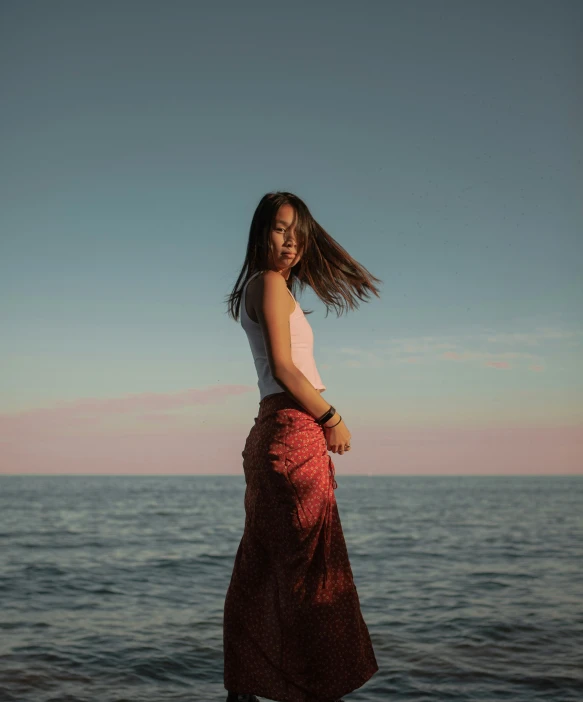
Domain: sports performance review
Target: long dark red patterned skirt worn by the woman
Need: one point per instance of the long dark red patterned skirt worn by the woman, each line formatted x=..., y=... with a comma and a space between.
x=293, y=630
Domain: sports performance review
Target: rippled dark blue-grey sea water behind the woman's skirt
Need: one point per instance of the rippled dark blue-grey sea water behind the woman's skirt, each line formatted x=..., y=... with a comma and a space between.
x=112, y=588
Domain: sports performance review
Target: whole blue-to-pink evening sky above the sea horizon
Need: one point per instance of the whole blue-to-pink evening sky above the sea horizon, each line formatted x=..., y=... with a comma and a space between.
x=438, y=142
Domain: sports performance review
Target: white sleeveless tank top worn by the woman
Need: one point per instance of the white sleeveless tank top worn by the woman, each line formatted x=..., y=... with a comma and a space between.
x=302, y=348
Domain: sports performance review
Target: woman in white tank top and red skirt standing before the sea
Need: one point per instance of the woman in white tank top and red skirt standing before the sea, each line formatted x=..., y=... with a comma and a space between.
x=292, y=627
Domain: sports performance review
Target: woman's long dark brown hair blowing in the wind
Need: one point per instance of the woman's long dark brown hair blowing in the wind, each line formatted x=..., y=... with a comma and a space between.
x=335, y=277
